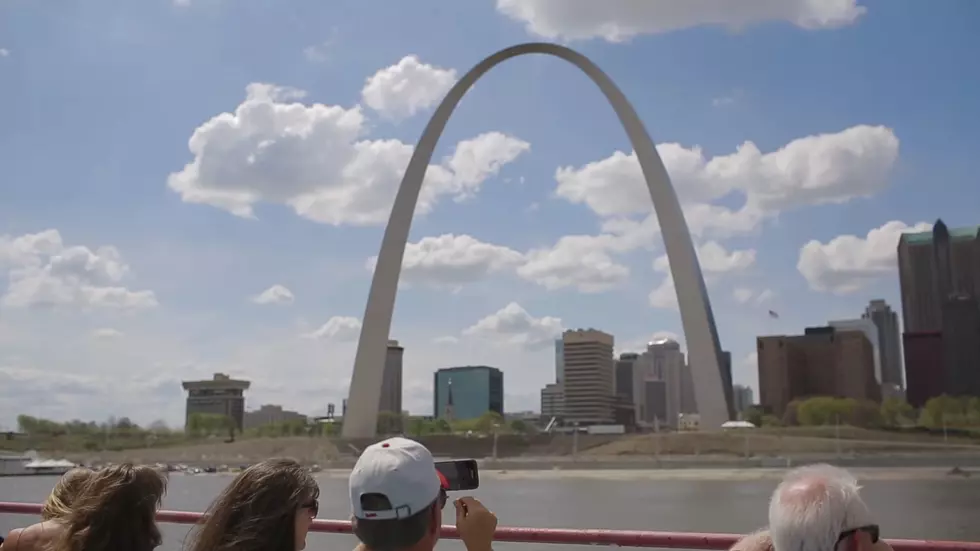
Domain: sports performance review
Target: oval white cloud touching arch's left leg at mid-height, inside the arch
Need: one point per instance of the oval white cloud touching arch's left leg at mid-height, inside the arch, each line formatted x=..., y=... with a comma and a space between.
x=453, y=260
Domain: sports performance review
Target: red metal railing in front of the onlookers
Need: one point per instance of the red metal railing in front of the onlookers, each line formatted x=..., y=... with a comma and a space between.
x=622, y=538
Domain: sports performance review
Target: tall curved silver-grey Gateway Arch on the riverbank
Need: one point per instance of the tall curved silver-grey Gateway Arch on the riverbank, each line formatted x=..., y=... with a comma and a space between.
x=704, y=352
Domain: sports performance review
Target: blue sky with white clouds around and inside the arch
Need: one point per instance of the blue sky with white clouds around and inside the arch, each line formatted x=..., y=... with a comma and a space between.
x=99, y=101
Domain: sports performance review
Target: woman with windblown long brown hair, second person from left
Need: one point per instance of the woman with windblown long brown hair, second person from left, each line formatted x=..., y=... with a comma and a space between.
x=115, y=512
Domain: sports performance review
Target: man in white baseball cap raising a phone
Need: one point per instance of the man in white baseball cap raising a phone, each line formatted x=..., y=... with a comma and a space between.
x=397, y=497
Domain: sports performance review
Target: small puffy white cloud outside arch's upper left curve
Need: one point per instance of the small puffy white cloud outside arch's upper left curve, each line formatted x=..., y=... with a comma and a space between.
x=407, y=87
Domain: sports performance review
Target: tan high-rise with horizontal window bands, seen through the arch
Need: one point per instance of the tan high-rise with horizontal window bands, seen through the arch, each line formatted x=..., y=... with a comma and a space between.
x=588, y=376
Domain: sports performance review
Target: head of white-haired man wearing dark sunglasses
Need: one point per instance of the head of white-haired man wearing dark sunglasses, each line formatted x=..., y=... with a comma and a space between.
x=819, y=508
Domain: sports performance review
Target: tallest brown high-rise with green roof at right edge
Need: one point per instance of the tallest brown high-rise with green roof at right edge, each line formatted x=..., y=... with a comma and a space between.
x=932, y=265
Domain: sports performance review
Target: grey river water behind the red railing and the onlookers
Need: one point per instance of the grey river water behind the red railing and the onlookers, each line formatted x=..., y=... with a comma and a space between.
x=937, y=508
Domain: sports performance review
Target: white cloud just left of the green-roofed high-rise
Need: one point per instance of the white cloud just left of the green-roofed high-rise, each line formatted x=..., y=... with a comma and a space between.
x=848, y=263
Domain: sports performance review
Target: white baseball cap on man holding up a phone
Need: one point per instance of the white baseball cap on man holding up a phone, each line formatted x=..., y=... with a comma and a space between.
x=400, y=470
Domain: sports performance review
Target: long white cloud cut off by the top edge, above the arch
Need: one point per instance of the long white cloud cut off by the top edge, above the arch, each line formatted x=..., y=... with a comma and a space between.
x=620, y=20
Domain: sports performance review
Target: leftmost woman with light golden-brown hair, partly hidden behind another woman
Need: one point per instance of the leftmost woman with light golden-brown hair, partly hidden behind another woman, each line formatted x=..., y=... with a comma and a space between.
x=55, y=512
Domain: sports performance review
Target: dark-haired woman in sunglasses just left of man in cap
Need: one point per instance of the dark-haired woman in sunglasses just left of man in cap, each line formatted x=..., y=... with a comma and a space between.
x=268, y=507
